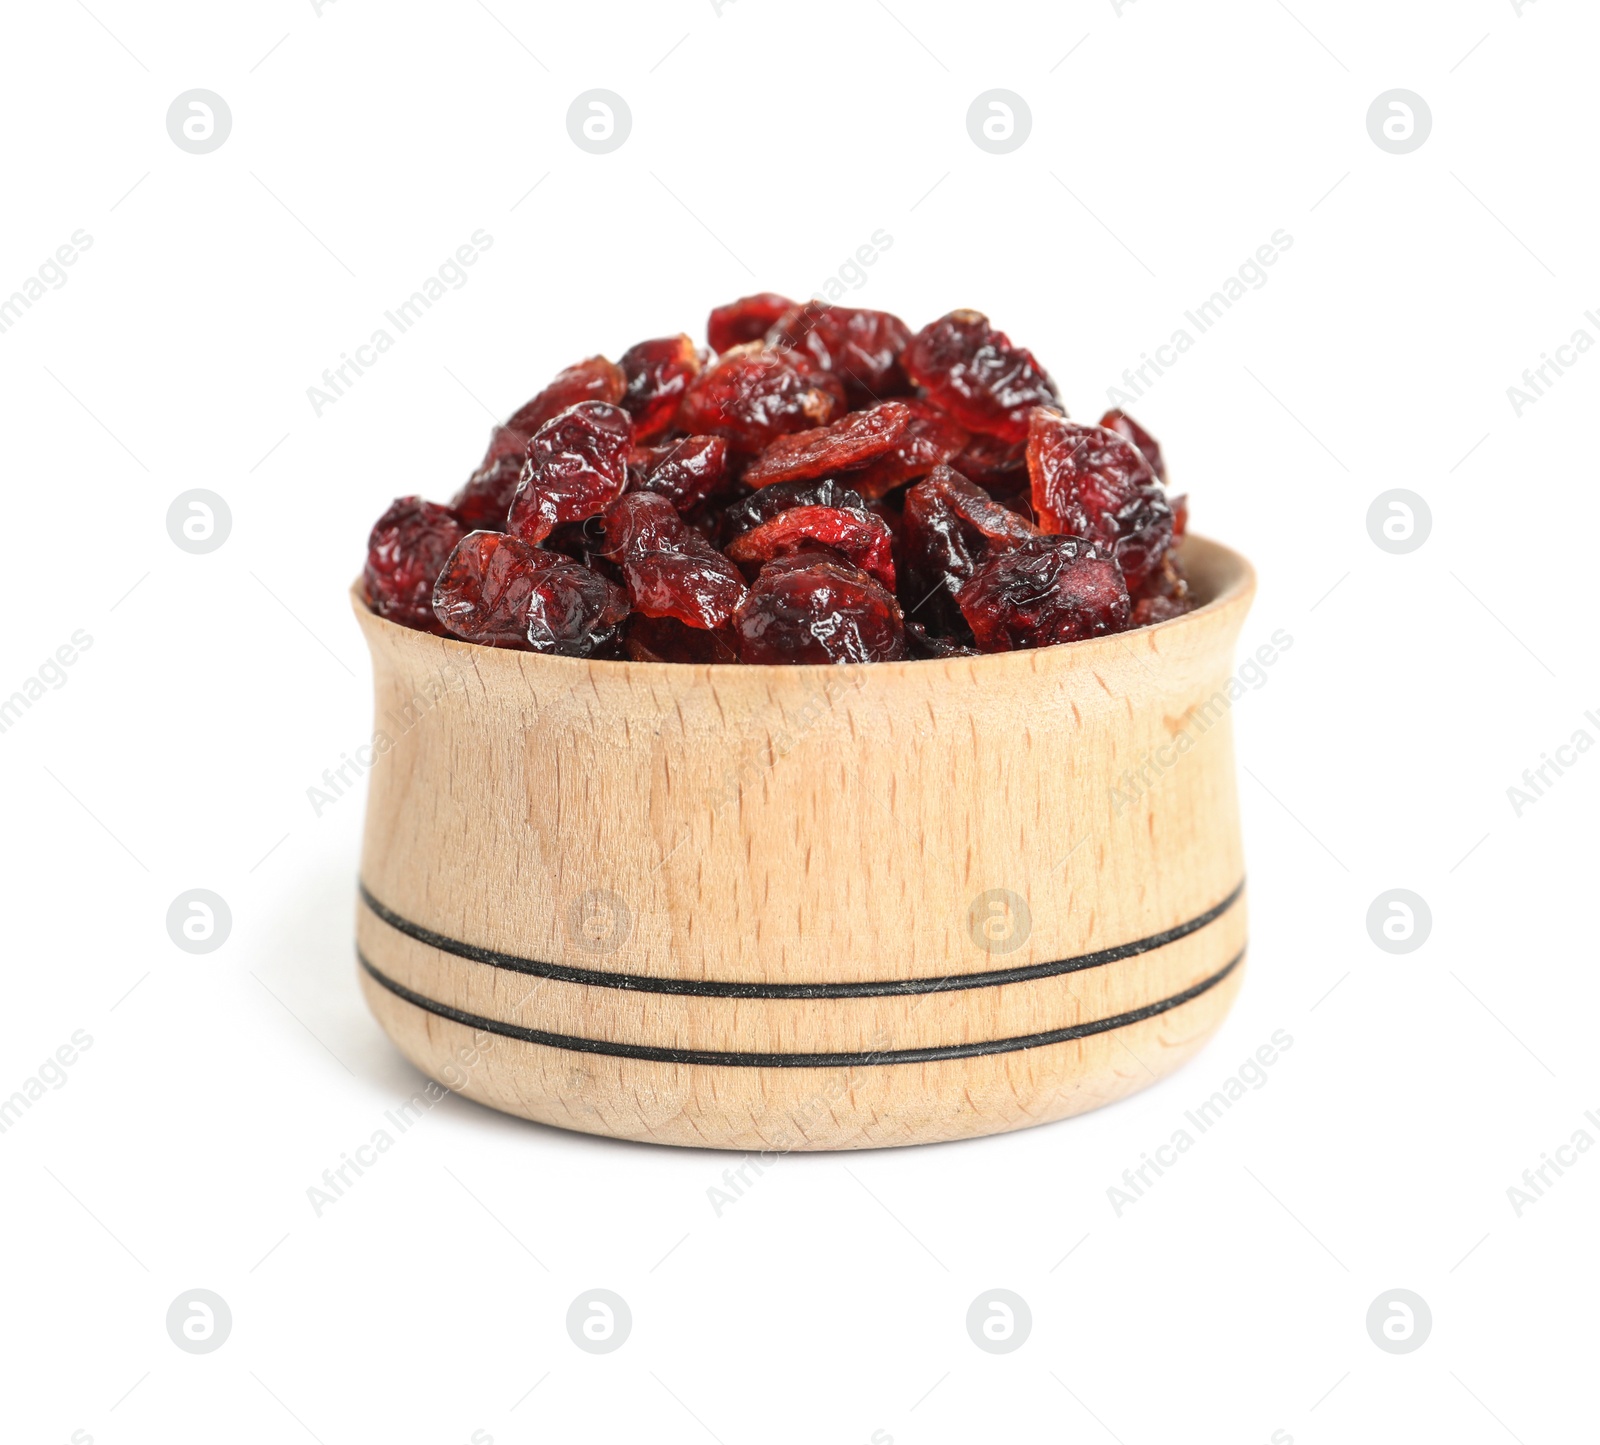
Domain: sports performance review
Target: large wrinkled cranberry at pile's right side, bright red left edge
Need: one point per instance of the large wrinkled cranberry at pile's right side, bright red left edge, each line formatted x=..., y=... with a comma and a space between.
x=1092, y=482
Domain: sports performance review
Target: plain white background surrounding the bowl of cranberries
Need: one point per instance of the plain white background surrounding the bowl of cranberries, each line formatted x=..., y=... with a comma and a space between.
x=767, y=145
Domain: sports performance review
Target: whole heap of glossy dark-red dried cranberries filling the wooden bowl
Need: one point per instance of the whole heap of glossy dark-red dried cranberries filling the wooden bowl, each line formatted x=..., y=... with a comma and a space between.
x=825, y=486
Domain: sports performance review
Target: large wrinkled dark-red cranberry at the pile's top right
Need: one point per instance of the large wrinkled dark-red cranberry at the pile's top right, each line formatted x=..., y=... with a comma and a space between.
x=977, y=375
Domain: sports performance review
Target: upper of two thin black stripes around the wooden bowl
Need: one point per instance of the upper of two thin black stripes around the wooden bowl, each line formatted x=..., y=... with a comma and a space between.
x=724, y=990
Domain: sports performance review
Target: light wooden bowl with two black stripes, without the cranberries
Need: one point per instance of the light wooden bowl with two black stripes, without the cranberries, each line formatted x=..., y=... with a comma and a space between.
x=807, y=908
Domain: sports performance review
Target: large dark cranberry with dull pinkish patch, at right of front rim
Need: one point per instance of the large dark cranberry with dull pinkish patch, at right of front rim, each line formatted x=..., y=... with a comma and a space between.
x=1044, y=591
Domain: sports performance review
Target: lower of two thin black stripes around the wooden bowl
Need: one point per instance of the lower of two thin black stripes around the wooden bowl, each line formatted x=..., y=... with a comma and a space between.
x=658, y=1055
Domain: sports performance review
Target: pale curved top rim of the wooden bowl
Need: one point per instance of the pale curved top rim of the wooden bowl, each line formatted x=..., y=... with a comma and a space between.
x=1238, y=590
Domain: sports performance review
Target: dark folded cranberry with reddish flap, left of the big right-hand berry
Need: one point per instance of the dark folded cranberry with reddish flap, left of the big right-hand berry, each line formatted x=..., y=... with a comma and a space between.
x=951, y=526
